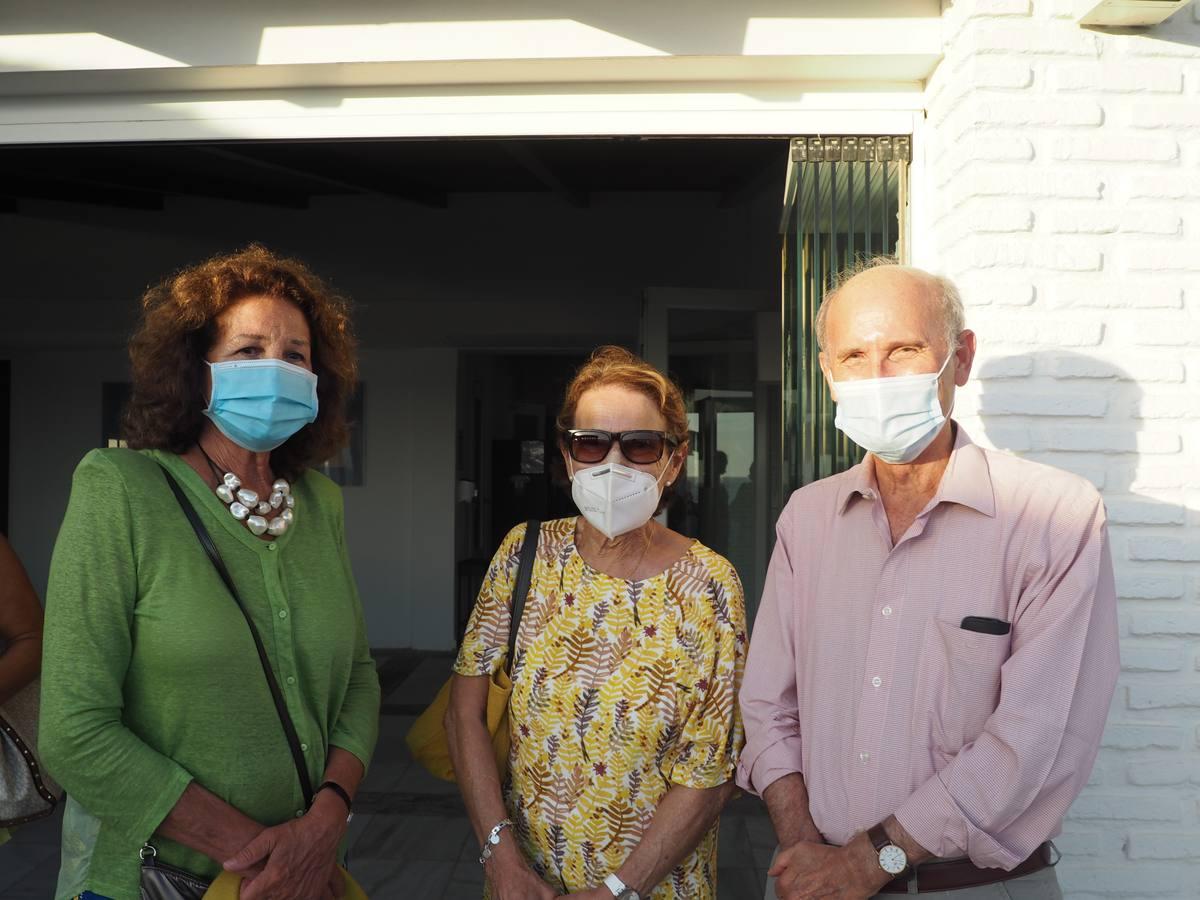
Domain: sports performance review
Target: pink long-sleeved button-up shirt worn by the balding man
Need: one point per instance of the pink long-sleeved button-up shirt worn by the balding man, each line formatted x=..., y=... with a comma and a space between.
x=861, y=677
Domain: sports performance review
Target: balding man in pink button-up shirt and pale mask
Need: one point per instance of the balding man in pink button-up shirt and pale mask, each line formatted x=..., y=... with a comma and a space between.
x=937, y=649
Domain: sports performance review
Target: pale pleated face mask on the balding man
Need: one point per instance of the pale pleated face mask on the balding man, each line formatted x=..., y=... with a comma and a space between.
x=895, y=418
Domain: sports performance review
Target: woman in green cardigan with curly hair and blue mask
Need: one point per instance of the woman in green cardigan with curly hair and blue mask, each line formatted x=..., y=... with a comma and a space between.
x=157, y=716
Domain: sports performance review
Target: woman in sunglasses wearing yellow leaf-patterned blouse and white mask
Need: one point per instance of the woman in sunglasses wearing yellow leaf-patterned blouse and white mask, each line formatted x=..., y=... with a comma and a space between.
x=629, y=656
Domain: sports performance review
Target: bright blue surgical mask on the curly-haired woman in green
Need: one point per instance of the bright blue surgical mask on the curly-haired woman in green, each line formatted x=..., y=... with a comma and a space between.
x=260, y=404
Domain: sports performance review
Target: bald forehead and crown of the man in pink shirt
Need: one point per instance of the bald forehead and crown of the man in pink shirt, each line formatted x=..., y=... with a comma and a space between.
x=881, y=292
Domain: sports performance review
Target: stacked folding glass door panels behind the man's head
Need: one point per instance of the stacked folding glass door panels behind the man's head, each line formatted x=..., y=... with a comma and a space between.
x=844, y=202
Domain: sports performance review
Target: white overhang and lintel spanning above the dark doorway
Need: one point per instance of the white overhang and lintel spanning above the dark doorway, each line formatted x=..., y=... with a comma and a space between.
x=651, y=73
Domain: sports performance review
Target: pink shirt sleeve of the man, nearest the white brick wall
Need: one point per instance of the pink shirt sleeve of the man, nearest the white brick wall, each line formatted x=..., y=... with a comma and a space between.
x=1006, y=793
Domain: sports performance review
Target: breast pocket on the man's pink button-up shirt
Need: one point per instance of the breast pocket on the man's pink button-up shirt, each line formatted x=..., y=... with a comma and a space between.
x=957, y=687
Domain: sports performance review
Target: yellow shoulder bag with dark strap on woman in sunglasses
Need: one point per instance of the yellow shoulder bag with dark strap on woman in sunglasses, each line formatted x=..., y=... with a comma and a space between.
x=428, y=739
